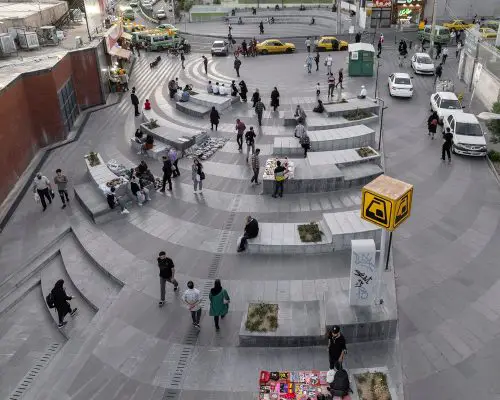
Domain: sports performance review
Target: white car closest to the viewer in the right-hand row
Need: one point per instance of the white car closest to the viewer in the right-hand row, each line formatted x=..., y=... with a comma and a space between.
x=468, y=137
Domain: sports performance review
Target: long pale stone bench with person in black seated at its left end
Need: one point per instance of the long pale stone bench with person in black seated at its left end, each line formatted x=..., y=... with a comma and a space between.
x=338, y=231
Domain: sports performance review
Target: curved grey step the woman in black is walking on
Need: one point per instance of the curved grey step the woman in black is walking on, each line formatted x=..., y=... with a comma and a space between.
x=49, y=276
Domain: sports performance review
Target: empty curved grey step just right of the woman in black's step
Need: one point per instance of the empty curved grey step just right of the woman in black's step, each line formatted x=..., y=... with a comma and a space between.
x=92, y=282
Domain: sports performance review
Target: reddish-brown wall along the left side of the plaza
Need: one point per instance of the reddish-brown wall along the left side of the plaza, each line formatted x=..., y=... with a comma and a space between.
x=30, y=114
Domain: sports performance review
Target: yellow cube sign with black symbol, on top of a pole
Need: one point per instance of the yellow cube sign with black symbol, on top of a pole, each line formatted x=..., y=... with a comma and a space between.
x=386, y=202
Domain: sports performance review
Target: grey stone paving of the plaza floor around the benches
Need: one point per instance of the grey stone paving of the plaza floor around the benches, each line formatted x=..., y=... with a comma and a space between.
x=445, y=258
